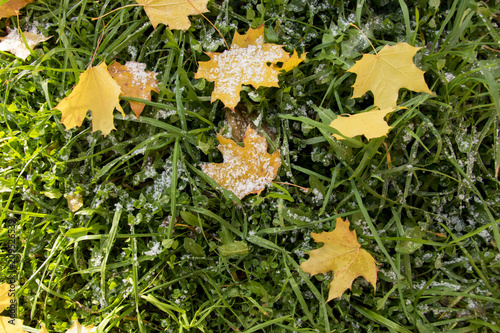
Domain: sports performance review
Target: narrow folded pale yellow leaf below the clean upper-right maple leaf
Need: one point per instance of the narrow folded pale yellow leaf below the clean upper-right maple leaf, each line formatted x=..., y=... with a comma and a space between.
x=370, y=124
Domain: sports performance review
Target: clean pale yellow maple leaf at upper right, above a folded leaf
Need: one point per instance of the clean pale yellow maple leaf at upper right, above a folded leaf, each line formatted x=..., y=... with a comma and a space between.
x=386, y=72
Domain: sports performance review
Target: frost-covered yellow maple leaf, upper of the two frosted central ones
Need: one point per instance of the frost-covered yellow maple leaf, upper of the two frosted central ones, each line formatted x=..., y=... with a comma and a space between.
x=246, y=62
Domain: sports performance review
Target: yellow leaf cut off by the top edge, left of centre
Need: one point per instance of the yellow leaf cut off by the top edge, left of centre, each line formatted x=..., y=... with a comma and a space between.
x=173, y=13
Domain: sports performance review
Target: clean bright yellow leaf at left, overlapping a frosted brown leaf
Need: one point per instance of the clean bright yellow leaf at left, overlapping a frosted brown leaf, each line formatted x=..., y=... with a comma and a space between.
x=95, y=91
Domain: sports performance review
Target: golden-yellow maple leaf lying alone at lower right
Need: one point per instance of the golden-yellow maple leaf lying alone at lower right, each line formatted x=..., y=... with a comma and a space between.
x=342, y=254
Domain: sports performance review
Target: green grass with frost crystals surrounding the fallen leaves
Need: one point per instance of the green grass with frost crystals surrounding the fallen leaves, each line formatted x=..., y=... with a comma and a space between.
x=424, y=200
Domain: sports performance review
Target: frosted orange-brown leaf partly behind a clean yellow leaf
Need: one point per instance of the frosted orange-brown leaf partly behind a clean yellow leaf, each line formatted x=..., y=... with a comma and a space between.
x=135, y=82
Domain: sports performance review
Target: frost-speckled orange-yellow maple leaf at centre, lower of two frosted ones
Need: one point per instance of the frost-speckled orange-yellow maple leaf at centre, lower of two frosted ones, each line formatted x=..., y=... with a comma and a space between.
x=247, y=169
